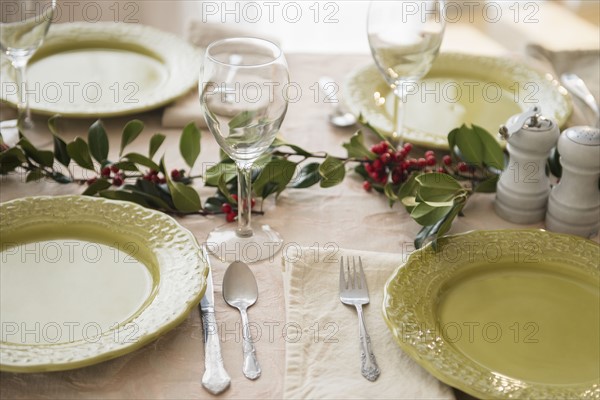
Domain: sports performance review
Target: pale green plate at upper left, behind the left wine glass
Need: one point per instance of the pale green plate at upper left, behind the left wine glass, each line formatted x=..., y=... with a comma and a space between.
x=105, y=69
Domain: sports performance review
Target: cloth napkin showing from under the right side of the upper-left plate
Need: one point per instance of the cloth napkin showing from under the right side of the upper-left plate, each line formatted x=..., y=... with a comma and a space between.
x=187, y=108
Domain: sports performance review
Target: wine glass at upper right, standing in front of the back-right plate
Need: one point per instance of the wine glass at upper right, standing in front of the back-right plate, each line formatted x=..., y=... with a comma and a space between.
x=405, y=38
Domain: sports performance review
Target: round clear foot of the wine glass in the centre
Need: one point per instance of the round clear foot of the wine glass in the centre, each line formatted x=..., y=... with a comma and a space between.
x=226, y=245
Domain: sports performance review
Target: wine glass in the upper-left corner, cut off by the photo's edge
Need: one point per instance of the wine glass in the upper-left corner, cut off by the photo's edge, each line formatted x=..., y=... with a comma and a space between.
x=23, y=26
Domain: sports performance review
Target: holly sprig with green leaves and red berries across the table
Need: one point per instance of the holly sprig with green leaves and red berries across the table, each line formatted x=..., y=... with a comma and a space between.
x=433, y=192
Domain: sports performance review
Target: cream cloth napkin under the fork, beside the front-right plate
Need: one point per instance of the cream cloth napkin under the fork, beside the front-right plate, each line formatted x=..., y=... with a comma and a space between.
x=322, y=347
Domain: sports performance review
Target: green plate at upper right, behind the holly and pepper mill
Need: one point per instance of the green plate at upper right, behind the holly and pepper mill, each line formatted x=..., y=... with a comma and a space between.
x=460, y=88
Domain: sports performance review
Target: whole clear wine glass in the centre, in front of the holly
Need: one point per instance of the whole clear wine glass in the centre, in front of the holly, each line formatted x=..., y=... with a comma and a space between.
x=243, y=98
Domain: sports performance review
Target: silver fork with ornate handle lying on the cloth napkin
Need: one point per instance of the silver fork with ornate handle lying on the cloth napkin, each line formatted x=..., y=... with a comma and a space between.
x=354, y=292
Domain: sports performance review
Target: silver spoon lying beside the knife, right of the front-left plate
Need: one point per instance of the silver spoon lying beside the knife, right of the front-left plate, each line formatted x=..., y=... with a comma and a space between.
x=240, y=291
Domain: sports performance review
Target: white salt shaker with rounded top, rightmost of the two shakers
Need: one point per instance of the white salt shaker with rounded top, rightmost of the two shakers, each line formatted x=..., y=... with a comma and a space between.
x=574, y=204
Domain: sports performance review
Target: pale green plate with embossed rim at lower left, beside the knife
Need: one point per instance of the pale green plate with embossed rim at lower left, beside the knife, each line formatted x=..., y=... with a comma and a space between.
x=84, y=280
